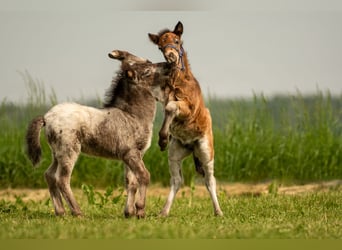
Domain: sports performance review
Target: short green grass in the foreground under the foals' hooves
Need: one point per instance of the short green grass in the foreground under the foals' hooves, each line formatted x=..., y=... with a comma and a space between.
x=308, y=216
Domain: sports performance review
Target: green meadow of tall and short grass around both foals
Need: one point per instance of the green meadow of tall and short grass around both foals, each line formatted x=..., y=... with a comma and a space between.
x=280, y=140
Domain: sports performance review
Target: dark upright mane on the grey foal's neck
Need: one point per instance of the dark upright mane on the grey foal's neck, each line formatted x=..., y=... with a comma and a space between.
x=112, y=93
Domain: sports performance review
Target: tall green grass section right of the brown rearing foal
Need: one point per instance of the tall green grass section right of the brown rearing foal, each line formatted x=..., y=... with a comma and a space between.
x=298, y=140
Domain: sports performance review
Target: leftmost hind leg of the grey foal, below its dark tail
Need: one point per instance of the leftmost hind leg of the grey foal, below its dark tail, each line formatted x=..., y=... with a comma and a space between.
x=50, y=177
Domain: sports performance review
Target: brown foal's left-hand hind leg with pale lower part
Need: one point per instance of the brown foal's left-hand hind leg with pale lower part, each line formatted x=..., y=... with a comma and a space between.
x=177, y=152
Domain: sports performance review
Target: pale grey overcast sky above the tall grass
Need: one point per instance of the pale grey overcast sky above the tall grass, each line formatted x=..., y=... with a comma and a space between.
x=235, y=48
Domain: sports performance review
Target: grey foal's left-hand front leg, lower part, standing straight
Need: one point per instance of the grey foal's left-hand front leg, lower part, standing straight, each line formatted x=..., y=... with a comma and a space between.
x=131, y=188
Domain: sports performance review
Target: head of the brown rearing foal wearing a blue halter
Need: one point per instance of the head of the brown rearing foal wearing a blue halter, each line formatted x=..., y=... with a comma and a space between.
x=170, y=43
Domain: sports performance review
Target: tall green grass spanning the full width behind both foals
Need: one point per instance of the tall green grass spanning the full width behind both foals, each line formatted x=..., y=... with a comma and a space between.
x=288, y=138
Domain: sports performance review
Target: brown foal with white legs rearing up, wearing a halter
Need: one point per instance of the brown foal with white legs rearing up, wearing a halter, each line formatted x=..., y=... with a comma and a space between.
x=186, y=118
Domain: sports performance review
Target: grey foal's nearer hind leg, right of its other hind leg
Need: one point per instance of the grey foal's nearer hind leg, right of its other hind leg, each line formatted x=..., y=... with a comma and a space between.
x=65, y=166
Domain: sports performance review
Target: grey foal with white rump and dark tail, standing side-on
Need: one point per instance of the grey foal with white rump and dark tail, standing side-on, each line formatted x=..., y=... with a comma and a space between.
x=121, y=130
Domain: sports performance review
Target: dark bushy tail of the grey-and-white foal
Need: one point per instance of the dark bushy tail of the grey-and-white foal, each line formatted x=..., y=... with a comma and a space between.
x=34, y=150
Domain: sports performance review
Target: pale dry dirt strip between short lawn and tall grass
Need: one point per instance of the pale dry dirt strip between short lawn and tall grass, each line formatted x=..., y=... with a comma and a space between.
x=230, y=189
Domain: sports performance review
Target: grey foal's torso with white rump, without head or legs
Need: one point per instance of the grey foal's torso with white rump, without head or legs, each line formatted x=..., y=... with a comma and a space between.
x=99, y=132
